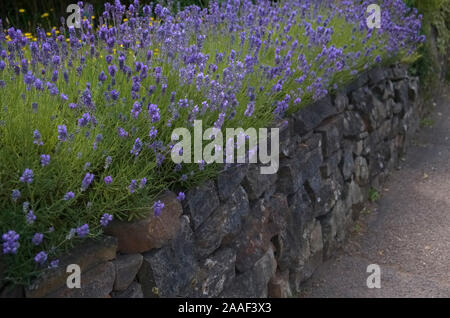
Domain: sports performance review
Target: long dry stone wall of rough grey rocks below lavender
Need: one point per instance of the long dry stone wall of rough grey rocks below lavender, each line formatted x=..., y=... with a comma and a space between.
x=251, y=235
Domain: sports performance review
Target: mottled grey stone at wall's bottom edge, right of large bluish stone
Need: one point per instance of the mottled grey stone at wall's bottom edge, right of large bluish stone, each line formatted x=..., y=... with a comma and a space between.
x=218, y=271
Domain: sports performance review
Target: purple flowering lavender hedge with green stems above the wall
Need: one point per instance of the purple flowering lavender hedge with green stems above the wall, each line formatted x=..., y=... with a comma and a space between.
x=86, y=114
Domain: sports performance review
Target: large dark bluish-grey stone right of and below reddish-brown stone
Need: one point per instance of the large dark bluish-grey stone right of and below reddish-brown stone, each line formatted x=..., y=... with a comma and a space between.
x=171, y=271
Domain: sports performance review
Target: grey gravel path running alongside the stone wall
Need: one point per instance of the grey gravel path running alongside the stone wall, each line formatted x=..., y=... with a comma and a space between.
x=407, y=232
